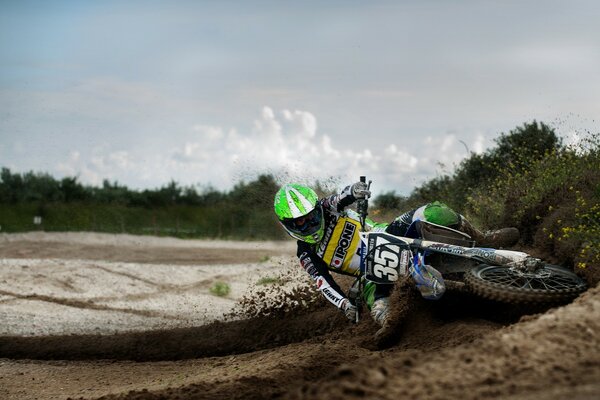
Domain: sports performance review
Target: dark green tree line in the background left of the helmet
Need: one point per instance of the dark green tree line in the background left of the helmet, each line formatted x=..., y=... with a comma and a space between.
x=244, y=212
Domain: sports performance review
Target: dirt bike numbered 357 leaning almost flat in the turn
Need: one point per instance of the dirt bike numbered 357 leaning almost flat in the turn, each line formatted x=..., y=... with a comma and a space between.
x=502, y=275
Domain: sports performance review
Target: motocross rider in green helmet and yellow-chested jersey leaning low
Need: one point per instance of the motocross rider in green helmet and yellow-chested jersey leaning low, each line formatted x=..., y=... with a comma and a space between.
x=328, y=240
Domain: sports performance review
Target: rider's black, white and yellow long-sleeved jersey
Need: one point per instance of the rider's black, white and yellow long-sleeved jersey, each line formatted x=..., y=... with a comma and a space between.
x=339, y=250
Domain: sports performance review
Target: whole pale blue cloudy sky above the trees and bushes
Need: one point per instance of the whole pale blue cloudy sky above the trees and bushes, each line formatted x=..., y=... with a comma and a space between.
x=211, y=92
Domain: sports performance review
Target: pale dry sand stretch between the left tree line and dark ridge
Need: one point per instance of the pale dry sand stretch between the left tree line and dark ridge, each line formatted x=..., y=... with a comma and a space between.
x=63, y=284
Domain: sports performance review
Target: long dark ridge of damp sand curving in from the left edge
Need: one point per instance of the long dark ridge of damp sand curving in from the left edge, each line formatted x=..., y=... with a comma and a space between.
x=215, y=339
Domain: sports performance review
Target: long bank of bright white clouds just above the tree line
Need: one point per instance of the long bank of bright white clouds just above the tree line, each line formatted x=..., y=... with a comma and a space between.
x=286, y=144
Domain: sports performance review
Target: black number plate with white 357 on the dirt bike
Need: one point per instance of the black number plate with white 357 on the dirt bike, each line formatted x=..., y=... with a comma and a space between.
x=387, y=258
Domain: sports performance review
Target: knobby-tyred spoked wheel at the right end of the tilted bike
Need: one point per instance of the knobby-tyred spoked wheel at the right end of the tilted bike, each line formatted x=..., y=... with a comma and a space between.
x=548, y=284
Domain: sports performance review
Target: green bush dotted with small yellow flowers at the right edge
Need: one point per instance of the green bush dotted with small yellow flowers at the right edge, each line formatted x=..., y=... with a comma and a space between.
x=554, y=201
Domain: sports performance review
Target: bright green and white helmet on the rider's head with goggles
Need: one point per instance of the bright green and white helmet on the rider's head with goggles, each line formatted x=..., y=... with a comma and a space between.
x=299, y=211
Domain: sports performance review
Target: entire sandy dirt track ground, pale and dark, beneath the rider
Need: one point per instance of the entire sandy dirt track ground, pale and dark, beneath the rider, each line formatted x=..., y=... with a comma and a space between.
x=454, y=348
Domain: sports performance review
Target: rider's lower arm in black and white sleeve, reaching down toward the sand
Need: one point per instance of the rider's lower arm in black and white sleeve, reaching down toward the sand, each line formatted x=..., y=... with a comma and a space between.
x=317, y=269
